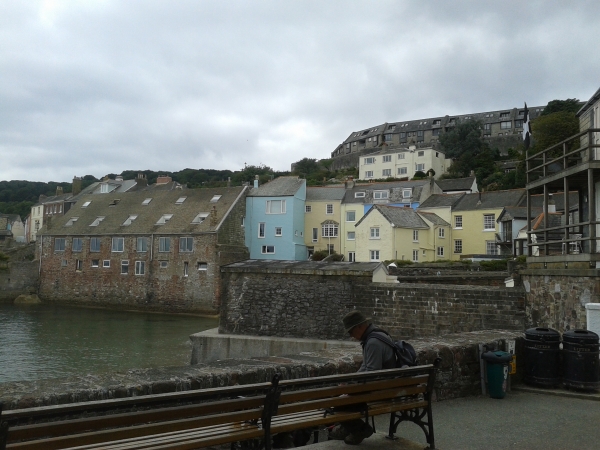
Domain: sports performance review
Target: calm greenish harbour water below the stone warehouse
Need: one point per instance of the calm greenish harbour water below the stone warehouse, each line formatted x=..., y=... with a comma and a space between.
x=40, y=341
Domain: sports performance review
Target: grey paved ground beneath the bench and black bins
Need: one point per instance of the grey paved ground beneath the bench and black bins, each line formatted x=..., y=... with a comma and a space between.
x=524, y=419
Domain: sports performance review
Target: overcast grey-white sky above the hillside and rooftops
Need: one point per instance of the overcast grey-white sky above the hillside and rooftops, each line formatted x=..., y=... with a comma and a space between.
x=97, y=87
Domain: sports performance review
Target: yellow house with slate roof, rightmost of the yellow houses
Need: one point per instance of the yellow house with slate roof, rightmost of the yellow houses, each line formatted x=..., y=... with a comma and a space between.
x=474, y=226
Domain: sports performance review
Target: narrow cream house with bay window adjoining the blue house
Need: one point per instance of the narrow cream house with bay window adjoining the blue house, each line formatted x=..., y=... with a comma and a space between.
x=322, y=219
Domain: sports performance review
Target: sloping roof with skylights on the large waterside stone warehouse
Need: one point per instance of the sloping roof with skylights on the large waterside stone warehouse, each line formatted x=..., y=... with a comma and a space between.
x=130, y=203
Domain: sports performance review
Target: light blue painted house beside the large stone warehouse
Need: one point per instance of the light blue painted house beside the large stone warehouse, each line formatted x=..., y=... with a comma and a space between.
x=275, y=220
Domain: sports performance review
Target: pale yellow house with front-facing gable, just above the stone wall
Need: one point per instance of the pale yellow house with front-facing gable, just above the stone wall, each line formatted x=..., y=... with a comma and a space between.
x=396, y=233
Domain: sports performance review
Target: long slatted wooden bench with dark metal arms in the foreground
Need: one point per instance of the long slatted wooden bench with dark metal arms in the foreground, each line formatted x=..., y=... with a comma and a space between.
x=250, y=413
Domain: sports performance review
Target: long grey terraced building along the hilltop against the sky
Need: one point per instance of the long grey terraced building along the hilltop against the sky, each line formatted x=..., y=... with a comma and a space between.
x=502, y=128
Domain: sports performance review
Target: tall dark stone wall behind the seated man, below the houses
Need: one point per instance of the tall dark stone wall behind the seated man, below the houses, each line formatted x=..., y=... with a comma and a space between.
x=311, y=305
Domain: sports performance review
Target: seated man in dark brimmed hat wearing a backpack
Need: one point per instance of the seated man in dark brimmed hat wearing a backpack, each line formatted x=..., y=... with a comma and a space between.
x=377, y=355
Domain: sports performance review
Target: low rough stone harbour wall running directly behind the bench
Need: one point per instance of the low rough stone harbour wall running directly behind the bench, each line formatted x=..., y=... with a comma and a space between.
x=459, y=373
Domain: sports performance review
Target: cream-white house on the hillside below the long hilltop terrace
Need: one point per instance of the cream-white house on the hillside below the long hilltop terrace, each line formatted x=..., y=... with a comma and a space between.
x=402, y=163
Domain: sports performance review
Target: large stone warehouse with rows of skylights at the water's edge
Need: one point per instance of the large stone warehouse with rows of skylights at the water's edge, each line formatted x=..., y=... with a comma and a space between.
x=151, y=250
